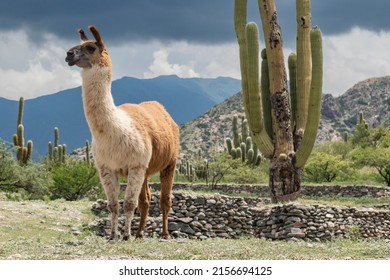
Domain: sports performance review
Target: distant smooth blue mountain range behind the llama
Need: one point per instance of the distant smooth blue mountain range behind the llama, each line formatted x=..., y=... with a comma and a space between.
x=185, y=99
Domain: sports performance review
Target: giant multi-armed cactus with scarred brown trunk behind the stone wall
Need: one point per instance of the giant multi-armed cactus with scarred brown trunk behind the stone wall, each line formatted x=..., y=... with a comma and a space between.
x=279, y=121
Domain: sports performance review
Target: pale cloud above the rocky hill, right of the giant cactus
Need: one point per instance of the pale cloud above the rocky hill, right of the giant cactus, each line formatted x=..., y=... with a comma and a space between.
x=354, y=56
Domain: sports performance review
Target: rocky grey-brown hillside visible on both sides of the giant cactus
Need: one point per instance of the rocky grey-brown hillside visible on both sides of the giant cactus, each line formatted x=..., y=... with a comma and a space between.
x=338, y=115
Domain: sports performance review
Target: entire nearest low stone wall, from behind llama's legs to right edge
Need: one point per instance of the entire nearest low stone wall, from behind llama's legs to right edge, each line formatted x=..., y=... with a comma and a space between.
x=210, y=216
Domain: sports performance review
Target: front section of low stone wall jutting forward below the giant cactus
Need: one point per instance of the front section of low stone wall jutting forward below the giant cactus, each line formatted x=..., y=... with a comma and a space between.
x=318, y=223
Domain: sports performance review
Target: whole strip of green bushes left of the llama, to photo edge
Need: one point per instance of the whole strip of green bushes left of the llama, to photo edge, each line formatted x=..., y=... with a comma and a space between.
x=71, y=181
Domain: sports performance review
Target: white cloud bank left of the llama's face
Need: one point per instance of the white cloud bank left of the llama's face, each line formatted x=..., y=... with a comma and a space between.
x=29, y=70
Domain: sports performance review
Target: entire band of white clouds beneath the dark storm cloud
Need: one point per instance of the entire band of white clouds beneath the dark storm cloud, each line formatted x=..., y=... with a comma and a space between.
x=30, y=70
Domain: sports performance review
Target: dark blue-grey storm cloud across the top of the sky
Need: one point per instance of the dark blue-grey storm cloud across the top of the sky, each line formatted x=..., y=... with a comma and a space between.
x=207, y=21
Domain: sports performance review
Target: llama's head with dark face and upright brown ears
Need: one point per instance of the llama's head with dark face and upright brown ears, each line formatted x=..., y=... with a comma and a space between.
x=90, y=52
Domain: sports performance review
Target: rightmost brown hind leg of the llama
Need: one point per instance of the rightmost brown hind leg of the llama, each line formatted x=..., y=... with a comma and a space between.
x=166, y=178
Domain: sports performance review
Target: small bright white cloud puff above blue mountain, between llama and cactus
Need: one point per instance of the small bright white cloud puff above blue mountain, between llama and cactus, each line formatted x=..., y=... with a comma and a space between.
x=161, y=66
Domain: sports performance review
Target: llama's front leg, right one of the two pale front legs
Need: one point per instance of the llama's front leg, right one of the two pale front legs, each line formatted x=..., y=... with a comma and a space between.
x=134, y=184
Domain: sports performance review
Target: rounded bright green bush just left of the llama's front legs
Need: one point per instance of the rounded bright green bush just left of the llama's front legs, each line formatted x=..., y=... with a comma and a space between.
x=75, y=180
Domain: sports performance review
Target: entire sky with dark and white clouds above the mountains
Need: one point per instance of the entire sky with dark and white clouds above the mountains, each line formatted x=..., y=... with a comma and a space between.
x=148, y=38
